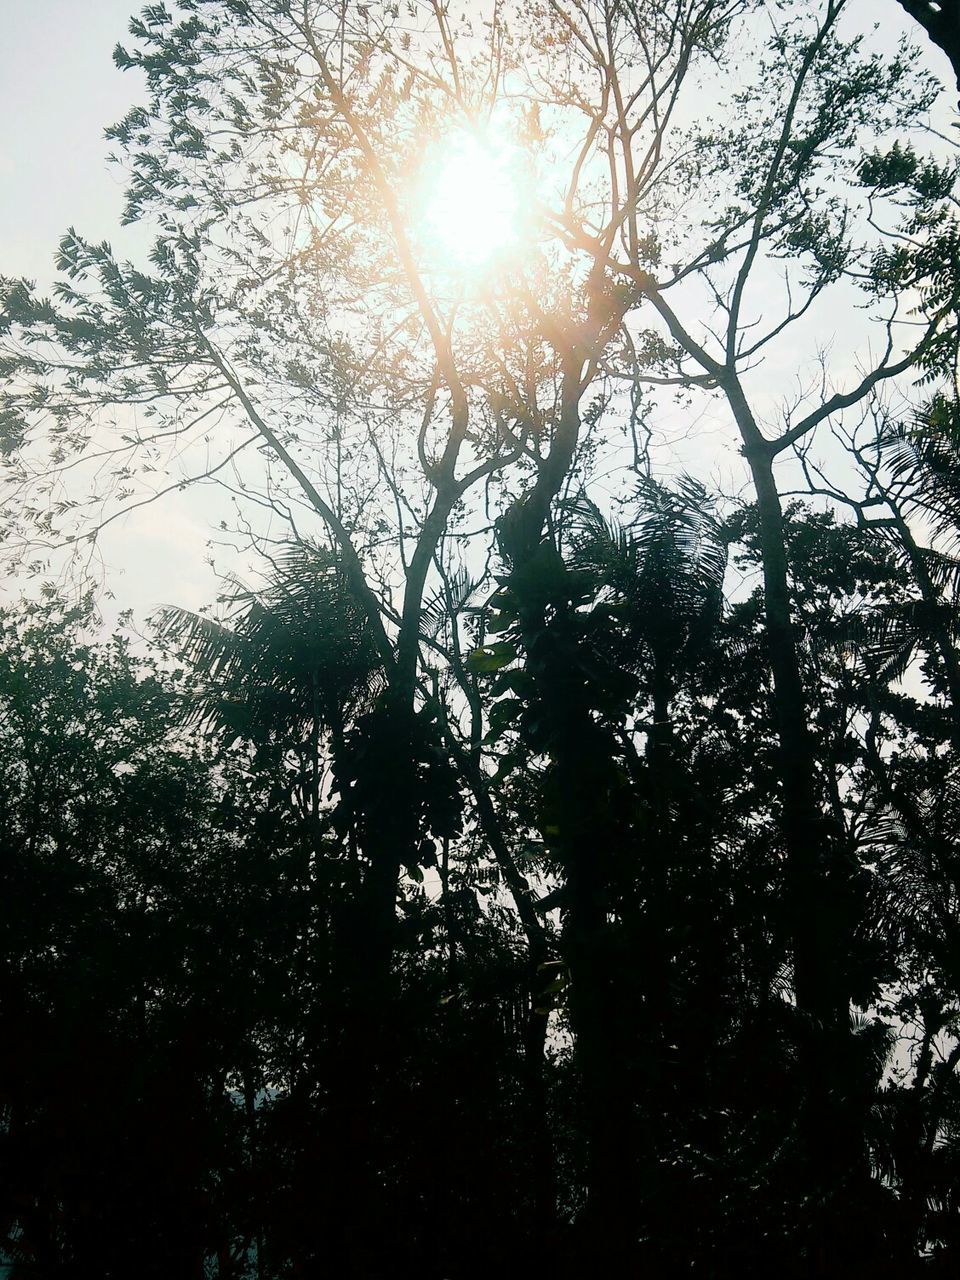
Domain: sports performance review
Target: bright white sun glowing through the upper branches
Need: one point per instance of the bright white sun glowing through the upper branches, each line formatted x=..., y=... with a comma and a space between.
x=472, y=209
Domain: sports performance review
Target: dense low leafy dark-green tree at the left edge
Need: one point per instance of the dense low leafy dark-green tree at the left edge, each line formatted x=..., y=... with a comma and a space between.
x=116, y=845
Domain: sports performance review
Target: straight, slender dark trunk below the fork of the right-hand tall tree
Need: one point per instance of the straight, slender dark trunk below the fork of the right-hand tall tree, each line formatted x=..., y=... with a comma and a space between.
x=833, y=1171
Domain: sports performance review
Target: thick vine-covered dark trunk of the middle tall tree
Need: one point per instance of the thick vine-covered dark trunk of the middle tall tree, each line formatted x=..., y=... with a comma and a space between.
x=580, y=826
